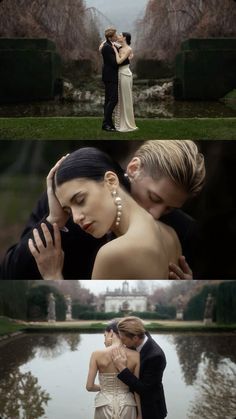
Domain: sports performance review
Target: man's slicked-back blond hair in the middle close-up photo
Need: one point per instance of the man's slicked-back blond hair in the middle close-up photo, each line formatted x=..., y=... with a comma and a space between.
x=178, y=160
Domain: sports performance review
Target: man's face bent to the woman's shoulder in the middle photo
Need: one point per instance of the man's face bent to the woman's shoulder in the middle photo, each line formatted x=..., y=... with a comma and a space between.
x=158, y=197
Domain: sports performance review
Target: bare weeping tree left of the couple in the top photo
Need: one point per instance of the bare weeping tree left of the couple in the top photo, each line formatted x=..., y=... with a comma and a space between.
x=68, y=23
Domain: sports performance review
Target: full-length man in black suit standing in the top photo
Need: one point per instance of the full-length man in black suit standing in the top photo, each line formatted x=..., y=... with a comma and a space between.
x=110, y=79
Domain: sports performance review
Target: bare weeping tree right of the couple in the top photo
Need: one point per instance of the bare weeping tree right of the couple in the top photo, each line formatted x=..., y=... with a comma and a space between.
x=167, y=23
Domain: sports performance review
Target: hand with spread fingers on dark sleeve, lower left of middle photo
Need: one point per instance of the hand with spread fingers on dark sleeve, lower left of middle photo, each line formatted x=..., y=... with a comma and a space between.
x=49, y=258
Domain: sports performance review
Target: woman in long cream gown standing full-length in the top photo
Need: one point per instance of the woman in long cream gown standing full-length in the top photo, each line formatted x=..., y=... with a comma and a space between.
x=124, y=112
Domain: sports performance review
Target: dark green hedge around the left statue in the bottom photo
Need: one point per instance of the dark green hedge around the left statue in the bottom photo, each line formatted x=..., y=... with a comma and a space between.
x=38, y=303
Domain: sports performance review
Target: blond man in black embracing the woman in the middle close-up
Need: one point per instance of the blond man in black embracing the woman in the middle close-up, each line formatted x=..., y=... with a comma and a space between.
x=158, y=196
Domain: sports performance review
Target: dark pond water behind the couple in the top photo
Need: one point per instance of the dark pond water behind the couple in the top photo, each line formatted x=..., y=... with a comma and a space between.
x=143, y=109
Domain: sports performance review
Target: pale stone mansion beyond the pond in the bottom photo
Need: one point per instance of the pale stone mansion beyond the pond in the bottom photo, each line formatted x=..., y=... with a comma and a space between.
x=124, y=299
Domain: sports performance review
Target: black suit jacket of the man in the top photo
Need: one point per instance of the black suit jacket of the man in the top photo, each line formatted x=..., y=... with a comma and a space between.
x=110, y=66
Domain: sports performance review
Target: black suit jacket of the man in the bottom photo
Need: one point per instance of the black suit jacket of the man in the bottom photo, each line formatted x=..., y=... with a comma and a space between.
x=149, y=384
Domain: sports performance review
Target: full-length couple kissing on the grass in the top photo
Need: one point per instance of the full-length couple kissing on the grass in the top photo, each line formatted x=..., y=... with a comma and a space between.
x=117, y=78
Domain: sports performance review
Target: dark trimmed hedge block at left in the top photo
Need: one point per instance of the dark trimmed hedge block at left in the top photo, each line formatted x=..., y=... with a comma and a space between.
x=29, y=71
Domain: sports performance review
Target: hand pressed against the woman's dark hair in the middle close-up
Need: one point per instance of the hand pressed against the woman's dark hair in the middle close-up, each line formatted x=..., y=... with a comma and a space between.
x=56, y=213
